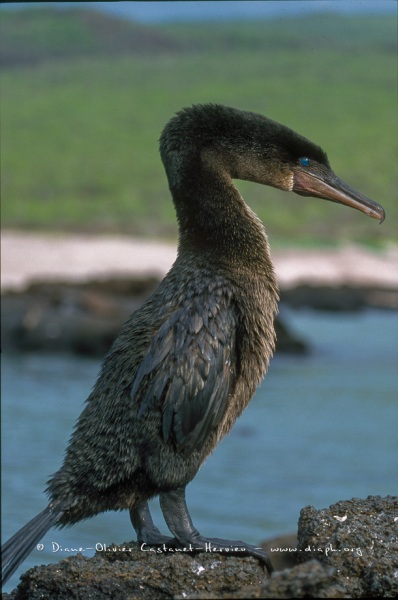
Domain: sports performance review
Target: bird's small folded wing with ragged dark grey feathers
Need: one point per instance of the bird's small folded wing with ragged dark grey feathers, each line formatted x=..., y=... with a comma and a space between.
x=188, y=369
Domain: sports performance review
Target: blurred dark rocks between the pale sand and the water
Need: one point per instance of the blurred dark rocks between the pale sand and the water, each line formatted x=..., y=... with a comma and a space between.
x=85, y=317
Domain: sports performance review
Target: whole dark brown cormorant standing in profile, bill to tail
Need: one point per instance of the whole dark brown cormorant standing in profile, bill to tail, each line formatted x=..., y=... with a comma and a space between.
x=187, y=363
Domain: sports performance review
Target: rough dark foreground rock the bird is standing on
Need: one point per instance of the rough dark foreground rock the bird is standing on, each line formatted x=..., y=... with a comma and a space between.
x=348, y=550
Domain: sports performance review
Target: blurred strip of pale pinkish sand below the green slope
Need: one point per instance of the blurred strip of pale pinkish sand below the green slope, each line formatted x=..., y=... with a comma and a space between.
x=29, y=257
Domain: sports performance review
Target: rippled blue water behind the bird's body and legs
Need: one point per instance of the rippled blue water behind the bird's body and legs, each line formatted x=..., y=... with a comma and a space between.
x=321, y=428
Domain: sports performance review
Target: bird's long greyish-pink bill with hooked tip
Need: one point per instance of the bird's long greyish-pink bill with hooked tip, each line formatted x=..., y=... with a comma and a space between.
x=330, y=187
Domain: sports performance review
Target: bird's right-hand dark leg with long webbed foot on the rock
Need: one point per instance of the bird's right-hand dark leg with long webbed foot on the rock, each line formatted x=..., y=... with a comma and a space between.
x=175, y=512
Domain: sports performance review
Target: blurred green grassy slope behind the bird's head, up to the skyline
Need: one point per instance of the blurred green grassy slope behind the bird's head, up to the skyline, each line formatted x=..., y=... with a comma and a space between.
x=82, y=111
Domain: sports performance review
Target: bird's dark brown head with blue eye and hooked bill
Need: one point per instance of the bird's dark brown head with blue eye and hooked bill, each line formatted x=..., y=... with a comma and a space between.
x=246, y=145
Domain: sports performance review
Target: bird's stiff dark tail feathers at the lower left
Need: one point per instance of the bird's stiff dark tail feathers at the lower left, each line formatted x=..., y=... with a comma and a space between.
x=14, y=552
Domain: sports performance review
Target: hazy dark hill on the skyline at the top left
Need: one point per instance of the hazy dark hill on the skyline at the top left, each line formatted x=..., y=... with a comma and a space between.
x=33, y=36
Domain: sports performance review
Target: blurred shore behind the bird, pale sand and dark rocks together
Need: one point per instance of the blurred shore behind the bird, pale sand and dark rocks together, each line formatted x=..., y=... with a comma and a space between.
x=73, y=294
